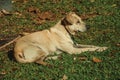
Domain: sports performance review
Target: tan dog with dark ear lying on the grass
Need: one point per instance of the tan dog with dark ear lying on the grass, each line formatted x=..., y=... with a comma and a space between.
x=36, y=46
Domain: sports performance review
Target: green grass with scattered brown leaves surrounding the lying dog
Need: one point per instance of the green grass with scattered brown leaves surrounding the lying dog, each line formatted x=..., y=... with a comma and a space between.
x=104, y=31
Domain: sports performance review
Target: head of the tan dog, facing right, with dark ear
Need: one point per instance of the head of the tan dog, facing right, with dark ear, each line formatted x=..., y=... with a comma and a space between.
x=73, y=23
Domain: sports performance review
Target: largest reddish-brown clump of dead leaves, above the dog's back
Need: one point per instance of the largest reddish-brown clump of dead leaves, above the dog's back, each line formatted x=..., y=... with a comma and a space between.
x=40, y=17
